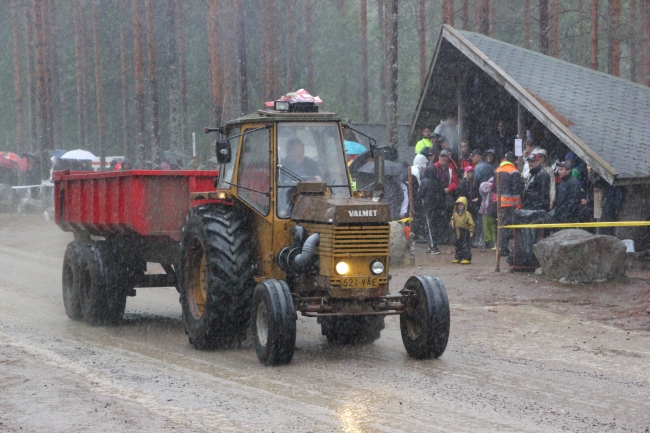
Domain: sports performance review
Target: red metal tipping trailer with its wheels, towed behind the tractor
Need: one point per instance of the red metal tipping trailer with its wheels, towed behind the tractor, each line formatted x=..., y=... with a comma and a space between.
x=121, y=221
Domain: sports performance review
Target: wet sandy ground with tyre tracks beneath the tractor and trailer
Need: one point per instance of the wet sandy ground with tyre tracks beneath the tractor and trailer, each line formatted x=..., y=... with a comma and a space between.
x=525, y=355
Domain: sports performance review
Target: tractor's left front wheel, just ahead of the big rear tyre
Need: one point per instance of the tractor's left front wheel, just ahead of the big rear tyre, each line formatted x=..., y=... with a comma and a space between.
x=273, y=321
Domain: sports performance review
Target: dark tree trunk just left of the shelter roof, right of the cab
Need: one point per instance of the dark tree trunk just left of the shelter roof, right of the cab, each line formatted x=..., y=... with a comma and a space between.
x=391, y=61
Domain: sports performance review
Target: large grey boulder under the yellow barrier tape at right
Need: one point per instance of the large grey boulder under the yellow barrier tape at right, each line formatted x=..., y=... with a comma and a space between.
x=578, y=256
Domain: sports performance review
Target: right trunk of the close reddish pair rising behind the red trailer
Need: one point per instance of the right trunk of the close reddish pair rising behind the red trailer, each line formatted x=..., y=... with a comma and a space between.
x=153, y=82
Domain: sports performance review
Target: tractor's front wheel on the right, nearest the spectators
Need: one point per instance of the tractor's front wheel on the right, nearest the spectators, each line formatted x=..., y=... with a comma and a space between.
x=425, y=322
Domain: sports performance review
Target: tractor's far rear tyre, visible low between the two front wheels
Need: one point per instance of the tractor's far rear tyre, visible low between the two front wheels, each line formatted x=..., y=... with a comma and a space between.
x=352, y=329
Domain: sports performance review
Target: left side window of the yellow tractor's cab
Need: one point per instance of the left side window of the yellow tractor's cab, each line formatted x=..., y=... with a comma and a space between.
x=253, y=173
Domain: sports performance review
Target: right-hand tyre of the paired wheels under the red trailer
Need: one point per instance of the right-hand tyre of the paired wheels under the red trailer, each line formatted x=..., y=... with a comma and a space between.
x=102, y=299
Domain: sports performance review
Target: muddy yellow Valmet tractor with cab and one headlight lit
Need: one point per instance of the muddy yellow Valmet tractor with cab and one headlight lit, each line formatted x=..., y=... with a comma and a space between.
x=283, y=233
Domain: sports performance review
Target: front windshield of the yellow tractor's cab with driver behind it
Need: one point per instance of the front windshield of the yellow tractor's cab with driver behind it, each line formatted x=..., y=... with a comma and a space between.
x=309, y=152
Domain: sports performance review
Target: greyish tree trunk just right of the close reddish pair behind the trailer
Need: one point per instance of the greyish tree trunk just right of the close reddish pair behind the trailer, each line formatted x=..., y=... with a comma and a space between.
x=174, y=90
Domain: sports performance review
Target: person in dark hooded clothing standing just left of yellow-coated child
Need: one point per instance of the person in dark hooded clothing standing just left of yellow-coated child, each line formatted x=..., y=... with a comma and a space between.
x=432, y=196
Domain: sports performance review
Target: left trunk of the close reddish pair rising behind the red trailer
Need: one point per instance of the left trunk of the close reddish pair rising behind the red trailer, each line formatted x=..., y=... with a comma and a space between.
x=138, y=69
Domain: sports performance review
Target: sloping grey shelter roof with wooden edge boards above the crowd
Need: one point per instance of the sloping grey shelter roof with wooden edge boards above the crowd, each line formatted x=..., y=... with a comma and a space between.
x=604, y=119
